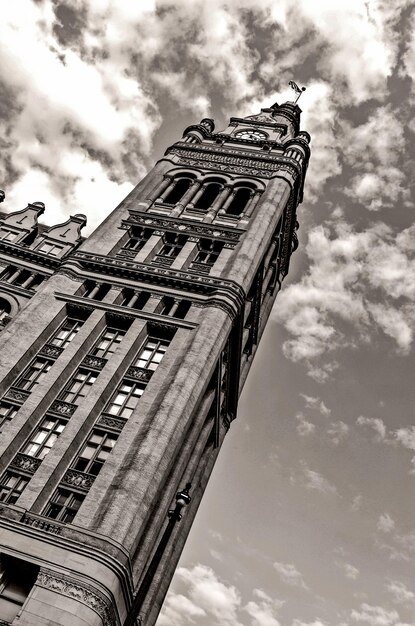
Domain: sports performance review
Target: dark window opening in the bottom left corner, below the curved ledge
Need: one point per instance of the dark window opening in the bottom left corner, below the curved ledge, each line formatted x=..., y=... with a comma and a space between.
x=17, y=578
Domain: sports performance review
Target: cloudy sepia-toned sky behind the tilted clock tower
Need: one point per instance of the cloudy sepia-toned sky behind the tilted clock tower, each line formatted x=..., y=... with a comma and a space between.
x=308, y=518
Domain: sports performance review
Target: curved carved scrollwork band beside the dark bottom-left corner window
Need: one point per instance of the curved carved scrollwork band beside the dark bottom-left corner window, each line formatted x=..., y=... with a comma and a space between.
x=88, y=595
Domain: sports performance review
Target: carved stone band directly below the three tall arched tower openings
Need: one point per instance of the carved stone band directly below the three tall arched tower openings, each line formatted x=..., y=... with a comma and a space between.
x=184, y=226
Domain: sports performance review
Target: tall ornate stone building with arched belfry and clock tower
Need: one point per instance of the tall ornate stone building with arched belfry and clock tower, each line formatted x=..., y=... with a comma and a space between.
x=122, y=359
